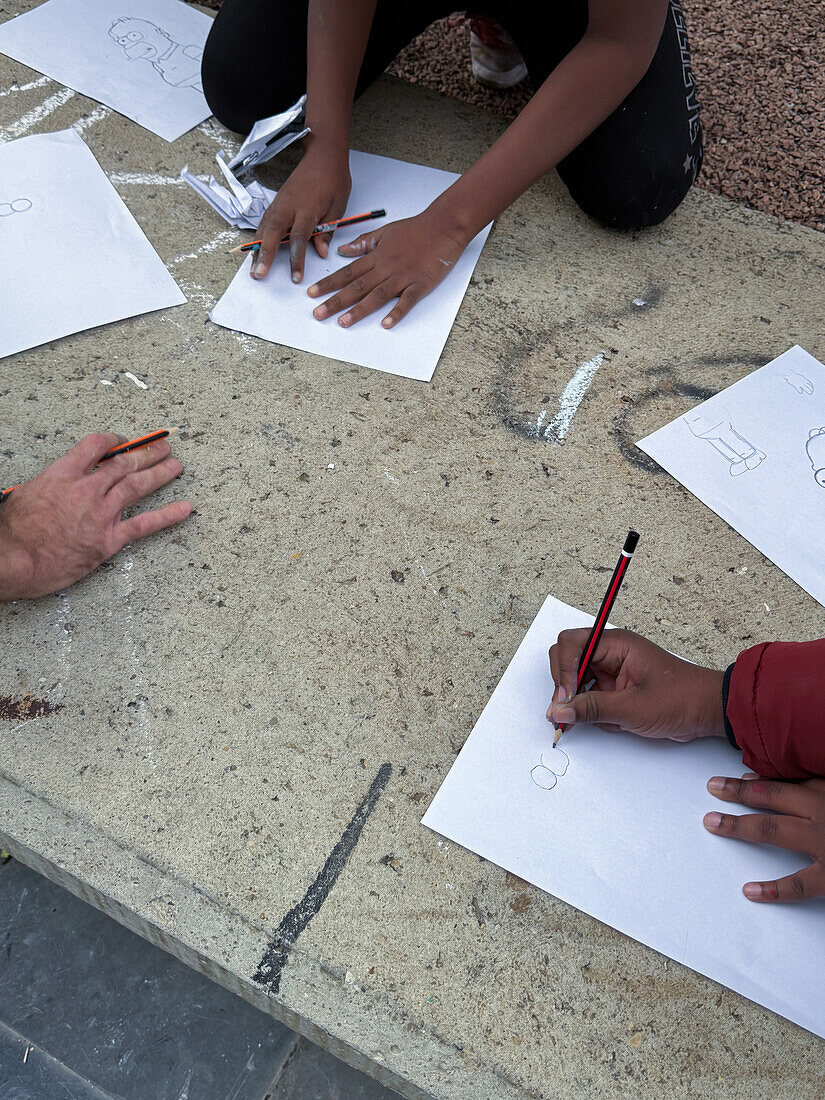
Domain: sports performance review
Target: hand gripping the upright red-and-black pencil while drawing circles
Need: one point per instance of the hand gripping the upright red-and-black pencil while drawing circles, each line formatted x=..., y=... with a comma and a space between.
x=641, y=689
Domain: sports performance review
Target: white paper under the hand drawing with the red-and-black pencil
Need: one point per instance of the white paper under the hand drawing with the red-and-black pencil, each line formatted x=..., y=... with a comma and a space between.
x=620, y=835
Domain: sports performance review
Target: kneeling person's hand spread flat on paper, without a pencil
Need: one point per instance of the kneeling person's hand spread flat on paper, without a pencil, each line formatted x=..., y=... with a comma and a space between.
x=404, y=260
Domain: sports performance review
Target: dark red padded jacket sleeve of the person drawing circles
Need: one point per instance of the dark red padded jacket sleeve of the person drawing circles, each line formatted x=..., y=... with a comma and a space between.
x=776, y=707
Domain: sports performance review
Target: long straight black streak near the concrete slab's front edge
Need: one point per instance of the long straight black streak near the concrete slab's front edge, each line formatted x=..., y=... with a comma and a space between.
x=271, y=967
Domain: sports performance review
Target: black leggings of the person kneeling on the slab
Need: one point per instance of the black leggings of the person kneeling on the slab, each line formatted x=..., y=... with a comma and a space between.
x=633, y=171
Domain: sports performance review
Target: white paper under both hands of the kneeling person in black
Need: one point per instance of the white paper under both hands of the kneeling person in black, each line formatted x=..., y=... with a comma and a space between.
x=278, y=311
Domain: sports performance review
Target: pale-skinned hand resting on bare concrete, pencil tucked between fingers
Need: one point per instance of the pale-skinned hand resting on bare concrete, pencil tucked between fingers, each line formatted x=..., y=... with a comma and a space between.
x=64, y=523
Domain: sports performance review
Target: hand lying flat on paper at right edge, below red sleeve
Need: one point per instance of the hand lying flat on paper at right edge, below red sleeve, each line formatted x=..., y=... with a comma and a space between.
x=796, y=821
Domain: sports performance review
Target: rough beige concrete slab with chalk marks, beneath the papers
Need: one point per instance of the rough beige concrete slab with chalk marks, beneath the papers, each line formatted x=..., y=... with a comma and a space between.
x=257, y=709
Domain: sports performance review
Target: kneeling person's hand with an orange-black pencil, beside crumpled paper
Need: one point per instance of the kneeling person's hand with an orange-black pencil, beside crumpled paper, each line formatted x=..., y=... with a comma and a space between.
x=316, y=193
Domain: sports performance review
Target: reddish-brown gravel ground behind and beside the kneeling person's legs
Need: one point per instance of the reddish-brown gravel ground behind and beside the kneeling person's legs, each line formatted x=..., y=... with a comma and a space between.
x=761, y=71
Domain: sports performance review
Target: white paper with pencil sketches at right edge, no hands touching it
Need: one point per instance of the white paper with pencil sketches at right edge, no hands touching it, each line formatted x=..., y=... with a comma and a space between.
x=756, y=455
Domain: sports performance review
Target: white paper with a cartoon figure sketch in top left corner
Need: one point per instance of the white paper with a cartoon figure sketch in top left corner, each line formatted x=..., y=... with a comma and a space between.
x=141, y=58
